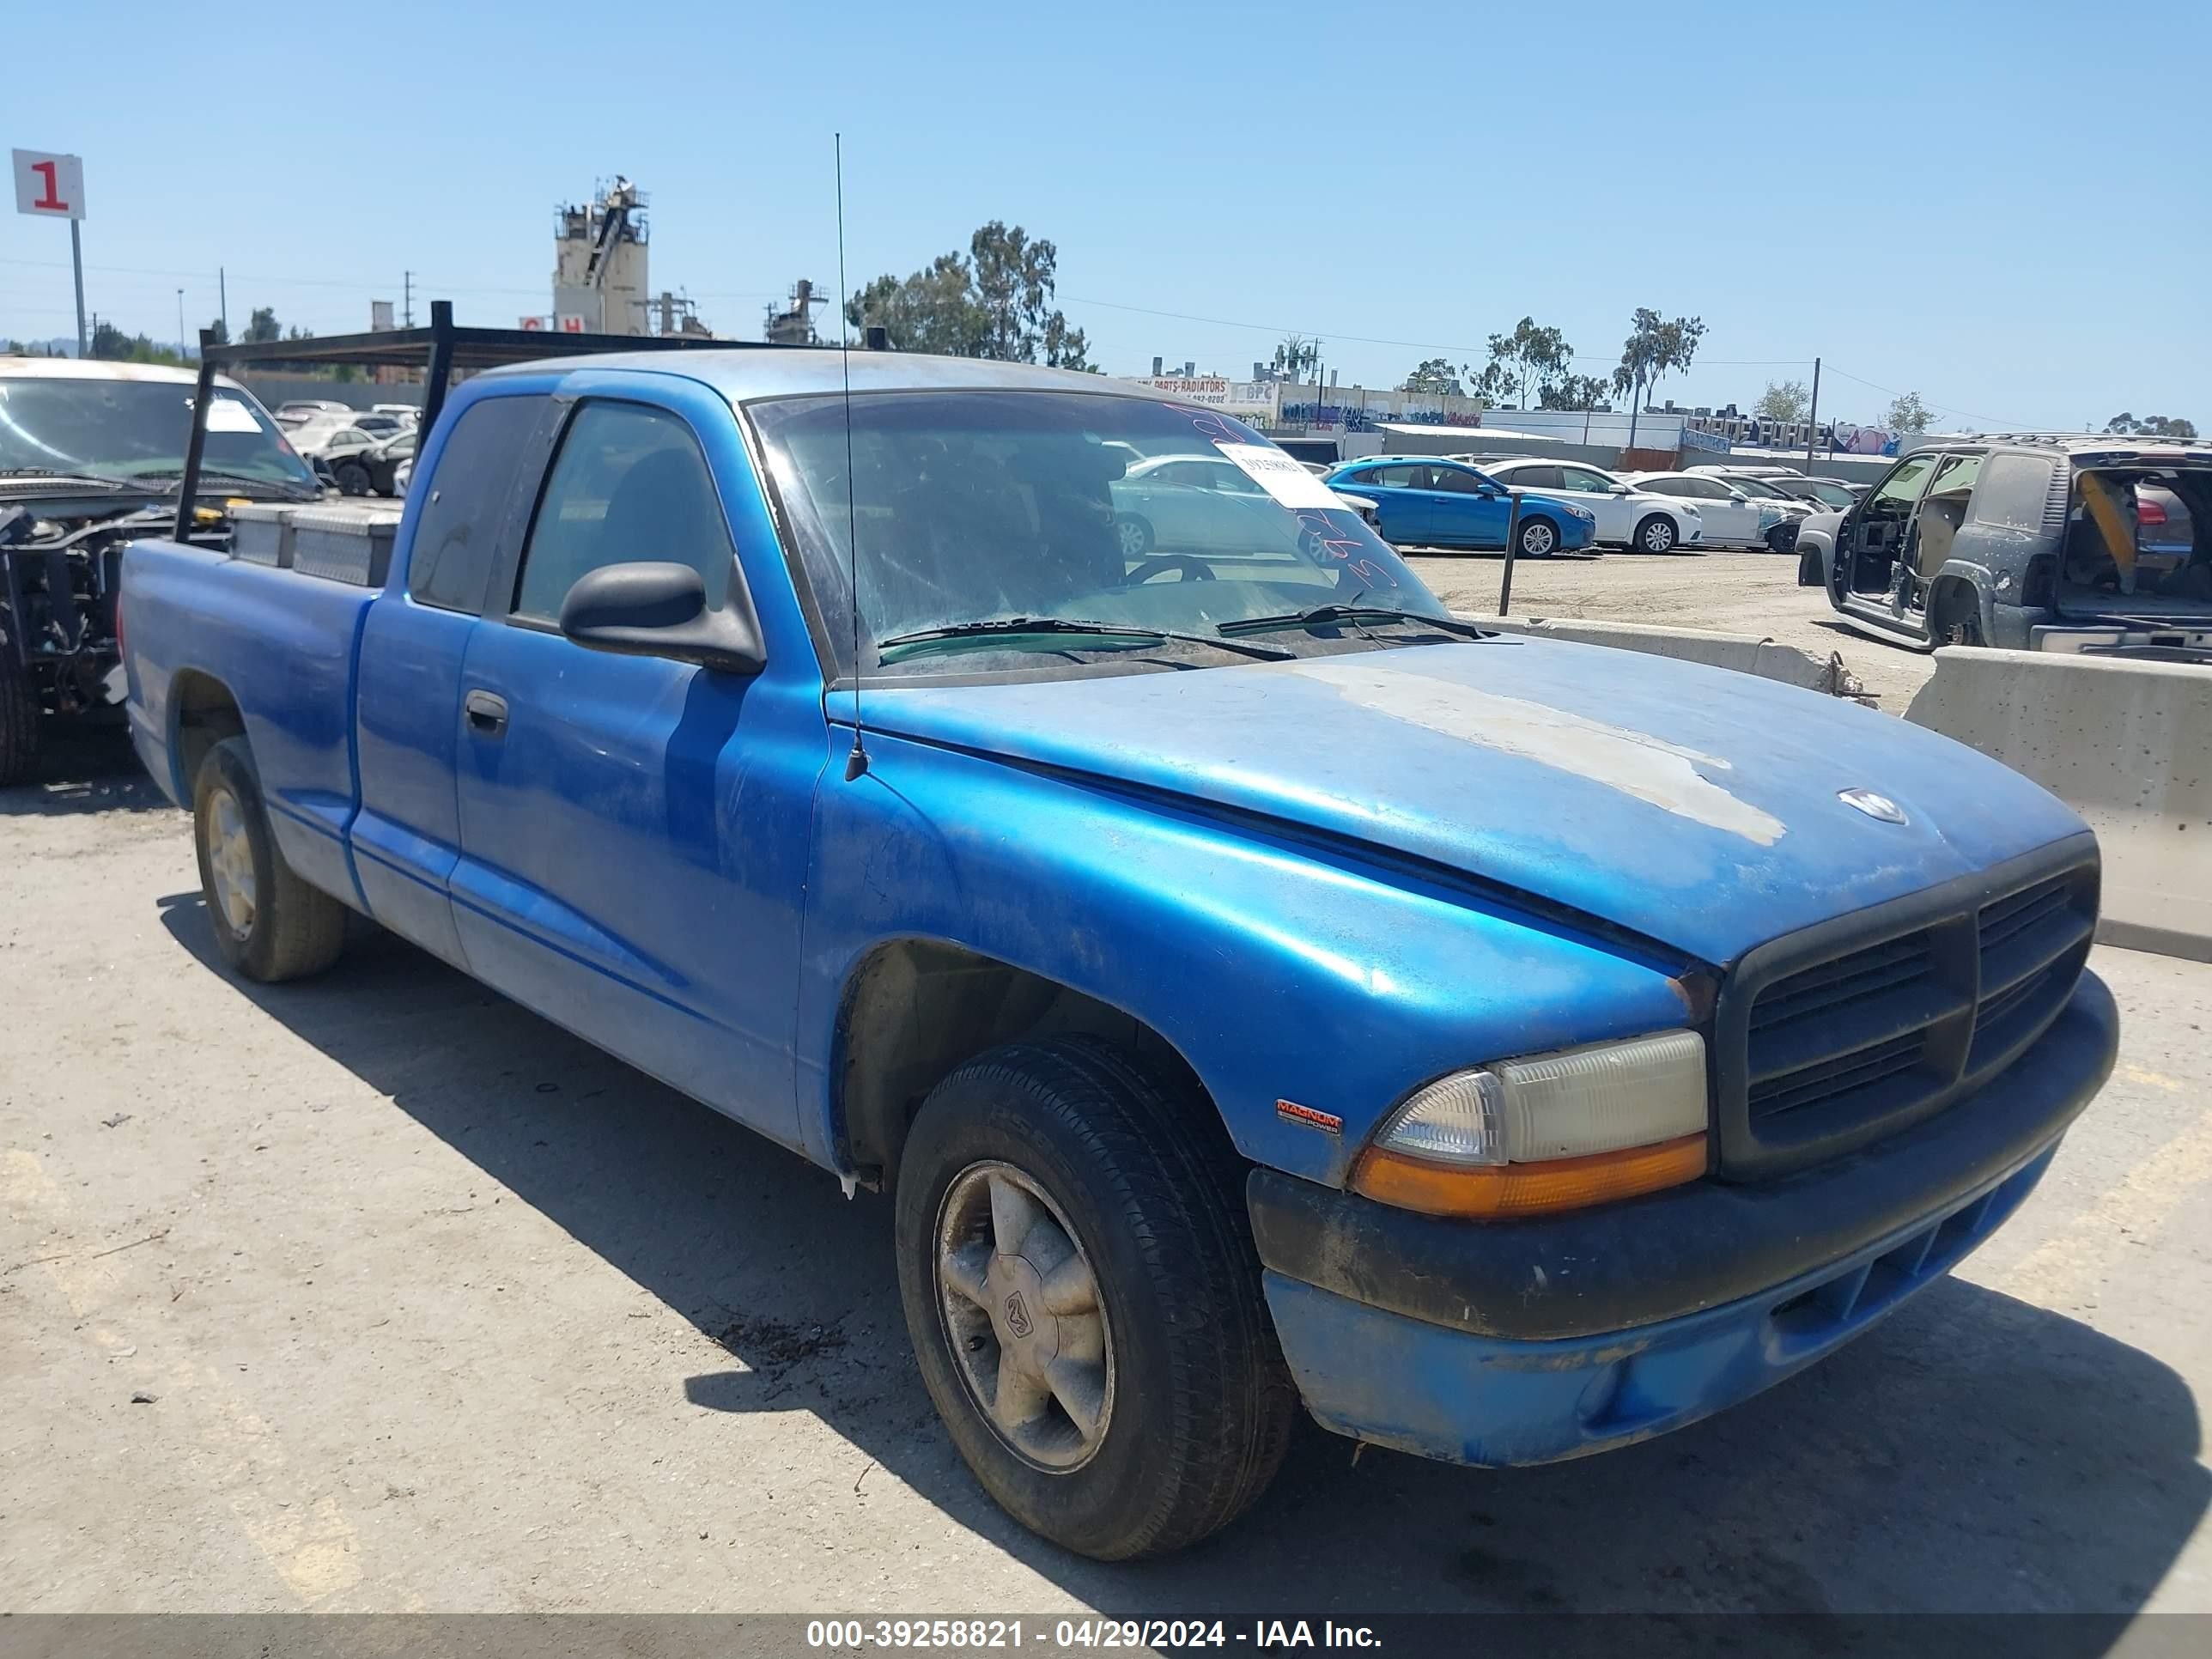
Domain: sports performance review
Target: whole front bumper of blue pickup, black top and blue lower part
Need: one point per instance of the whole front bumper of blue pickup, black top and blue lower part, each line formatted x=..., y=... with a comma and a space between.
x=1514, y=1344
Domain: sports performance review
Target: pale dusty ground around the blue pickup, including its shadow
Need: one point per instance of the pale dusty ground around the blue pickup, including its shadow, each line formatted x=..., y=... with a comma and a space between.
x=384, y=1295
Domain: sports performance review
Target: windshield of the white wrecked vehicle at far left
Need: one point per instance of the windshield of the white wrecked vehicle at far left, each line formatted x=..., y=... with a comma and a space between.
x=134, y=430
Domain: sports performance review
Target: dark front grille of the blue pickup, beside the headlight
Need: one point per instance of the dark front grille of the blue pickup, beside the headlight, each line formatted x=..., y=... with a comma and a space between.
x=1855, y=1030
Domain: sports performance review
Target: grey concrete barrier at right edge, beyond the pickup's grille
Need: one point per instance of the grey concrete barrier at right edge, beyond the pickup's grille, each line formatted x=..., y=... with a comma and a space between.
x=2129, y=747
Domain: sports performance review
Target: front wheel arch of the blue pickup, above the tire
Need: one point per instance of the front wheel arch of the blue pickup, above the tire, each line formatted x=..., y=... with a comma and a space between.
x=915, y=1008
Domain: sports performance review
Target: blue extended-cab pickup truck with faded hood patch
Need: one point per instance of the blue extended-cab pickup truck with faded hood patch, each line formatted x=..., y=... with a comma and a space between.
x=1253, y=985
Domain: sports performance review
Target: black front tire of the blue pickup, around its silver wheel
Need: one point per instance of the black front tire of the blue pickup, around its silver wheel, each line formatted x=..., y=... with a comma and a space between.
x=1131, y=1165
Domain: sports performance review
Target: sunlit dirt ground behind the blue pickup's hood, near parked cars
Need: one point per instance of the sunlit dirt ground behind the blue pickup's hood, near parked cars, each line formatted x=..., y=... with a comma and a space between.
x=1731, y=592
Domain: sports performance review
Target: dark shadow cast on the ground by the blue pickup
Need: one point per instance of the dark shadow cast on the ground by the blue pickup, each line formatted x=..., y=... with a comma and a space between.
x=1974, y=1454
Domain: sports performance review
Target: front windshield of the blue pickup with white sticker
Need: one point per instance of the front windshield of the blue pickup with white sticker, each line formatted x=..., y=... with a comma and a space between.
x=1061, y=505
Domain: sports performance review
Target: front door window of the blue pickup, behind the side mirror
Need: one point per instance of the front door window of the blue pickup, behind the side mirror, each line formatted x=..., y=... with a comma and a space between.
x=629, y=486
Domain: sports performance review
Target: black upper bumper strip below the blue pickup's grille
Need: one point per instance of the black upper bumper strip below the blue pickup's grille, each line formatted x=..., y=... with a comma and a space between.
x=1695, y=1246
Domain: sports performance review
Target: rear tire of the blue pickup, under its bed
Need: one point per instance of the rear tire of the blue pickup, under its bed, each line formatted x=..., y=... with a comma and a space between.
x=289, y=928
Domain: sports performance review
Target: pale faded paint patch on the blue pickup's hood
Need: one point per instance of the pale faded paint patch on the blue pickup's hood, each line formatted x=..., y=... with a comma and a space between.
x=1638, y=764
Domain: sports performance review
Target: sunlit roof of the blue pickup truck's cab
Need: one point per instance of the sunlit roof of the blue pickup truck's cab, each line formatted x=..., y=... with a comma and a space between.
x=747, y=375
